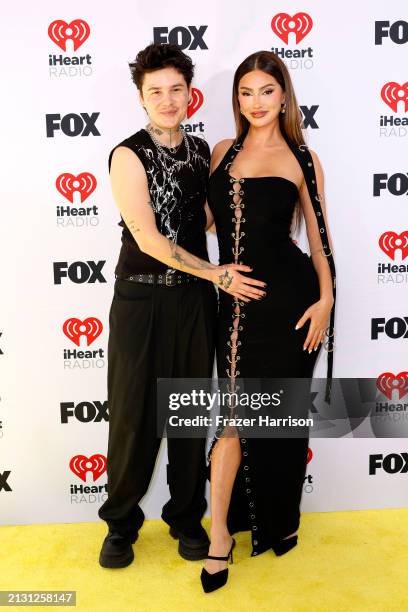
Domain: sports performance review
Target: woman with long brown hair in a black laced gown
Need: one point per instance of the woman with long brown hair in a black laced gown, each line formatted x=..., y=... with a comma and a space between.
x=261, y=182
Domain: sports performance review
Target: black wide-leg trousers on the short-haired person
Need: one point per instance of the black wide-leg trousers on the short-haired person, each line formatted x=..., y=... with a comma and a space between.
x=155, y=332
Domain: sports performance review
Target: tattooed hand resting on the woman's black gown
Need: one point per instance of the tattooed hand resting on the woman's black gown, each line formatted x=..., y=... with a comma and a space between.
x=229, y=279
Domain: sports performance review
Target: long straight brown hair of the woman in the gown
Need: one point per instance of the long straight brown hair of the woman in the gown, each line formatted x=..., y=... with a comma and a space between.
x=290, y=121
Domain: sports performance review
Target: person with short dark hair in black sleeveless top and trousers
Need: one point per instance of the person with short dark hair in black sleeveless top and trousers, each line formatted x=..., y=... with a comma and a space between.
x=163, y=313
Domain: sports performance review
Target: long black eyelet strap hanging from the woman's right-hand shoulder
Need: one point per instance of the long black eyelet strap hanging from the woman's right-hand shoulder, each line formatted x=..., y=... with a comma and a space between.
x=304, y=157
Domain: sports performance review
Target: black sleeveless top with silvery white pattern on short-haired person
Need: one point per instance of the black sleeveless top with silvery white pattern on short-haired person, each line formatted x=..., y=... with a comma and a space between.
x=177, y=195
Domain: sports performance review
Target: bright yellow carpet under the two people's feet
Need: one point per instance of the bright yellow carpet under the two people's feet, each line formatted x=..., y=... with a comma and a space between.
x=345, y=561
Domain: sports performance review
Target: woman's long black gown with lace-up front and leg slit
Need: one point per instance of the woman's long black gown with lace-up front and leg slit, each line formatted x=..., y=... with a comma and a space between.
x=258, y=340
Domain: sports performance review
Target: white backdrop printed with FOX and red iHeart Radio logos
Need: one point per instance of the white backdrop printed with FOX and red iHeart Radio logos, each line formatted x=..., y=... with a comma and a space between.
x=67, y=100
